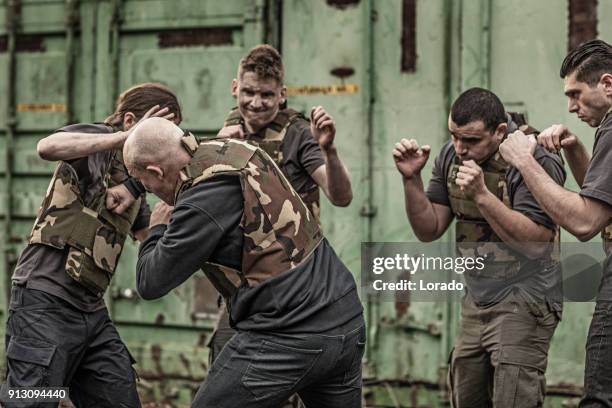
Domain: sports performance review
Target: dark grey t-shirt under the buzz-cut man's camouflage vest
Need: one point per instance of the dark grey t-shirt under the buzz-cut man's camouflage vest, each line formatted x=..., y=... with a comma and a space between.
x=539, y=281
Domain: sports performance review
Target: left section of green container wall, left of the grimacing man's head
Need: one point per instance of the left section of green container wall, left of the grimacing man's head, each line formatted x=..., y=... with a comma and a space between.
x=193, y=47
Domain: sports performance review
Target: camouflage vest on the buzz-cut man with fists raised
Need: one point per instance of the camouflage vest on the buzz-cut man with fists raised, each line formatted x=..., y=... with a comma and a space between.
x=474, y=235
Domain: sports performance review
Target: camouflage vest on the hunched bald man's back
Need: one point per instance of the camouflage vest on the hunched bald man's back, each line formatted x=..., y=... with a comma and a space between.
x=279, y=231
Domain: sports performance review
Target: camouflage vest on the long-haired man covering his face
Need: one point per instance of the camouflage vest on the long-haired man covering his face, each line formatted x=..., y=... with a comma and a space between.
x=95, y=236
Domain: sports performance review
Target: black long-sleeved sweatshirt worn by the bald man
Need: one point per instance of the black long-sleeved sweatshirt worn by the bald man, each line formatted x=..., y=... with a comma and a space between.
x=316, y=296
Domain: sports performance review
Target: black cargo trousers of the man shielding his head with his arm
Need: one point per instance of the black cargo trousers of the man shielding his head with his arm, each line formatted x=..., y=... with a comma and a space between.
x=51, y=344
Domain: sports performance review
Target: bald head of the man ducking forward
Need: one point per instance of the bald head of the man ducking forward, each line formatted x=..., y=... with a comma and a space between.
x=155, y=141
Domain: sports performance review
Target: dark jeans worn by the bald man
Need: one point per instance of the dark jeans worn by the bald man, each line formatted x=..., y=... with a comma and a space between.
x=264, y=369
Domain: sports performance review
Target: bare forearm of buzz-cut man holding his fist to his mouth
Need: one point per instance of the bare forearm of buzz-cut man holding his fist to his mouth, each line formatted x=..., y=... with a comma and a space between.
x=512, y=227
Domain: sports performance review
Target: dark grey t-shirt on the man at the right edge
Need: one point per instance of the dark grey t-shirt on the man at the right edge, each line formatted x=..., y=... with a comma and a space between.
x=598, y=185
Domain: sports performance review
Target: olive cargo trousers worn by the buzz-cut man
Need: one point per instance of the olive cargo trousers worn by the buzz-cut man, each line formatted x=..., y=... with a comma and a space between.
x=500, y=354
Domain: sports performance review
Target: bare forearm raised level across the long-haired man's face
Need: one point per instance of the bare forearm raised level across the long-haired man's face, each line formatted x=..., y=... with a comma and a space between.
x=72, y=145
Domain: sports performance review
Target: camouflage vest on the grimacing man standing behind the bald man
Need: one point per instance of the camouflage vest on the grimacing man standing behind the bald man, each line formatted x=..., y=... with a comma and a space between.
x=271, y=142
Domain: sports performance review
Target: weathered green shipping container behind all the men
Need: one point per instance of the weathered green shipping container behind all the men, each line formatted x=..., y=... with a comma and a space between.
x=385, y=69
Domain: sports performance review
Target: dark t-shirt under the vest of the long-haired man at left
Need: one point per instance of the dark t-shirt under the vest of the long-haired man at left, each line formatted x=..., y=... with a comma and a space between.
x=42, y=267
